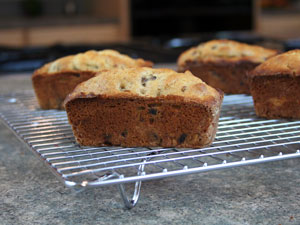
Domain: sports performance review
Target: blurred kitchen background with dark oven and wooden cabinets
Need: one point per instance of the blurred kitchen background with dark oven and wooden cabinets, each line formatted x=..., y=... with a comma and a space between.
x=33, y=32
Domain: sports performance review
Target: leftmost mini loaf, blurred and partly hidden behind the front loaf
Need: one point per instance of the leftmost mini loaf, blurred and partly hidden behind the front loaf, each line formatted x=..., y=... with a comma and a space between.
x=55, y=80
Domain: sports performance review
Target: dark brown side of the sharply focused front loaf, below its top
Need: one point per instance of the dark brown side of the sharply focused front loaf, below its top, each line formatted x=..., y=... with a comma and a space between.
x=133, y=122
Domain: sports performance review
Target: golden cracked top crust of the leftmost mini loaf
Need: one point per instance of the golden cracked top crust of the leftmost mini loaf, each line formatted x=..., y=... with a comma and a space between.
x=93, y=61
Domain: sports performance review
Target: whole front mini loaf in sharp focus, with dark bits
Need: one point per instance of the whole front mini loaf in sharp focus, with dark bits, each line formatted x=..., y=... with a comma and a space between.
x=144, y=107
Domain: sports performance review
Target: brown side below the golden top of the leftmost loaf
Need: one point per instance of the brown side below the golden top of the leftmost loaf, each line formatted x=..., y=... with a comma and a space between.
x=51, y=90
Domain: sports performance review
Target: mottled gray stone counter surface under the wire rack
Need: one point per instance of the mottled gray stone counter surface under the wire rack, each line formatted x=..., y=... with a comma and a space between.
x=30, y=194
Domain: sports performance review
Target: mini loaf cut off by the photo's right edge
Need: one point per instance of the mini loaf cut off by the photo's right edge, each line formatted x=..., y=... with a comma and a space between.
x=275, y=86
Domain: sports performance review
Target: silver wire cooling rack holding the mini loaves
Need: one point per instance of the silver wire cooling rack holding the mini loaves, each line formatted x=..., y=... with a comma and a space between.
x=242, y=139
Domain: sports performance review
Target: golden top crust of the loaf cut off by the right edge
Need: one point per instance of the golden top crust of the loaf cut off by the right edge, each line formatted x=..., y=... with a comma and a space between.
x=287, y=63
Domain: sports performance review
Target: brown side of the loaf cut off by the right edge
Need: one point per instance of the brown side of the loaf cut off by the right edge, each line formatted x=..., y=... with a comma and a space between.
x=276, y=96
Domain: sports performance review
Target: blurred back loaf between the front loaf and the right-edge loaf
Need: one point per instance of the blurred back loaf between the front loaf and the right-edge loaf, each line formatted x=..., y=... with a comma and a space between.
x=224, y=64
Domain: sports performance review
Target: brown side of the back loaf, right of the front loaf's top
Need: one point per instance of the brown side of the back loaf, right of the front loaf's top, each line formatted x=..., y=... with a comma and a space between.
x=230, y=77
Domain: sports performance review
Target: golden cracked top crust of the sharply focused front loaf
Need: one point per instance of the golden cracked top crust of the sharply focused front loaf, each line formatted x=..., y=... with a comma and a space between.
x=146, y=82
